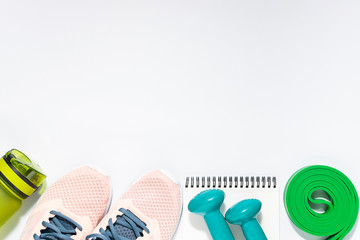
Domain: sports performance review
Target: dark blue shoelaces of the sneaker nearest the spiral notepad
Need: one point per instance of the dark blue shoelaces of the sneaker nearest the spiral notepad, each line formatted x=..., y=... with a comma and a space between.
x=127, y=220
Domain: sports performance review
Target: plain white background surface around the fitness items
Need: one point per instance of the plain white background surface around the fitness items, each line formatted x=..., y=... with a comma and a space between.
x=194, y=87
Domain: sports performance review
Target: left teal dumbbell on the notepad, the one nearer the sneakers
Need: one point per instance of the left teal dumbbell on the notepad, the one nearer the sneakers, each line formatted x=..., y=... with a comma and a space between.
x=207, y=204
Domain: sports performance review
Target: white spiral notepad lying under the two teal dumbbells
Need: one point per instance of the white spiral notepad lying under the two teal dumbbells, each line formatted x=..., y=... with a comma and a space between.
x=236, y=189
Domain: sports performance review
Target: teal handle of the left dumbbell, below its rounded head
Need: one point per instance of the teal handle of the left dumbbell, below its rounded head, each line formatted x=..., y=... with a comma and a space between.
x=218, y=227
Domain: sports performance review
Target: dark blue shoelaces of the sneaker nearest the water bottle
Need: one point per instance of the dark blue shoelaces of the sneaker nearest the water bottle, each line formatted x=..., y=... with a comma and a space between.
x=60, y=227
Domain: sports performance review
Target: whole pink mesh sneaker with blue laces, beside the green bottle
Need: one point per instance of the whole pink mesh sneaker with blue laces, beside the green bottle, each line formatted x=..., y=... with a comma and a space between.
x=71, y=208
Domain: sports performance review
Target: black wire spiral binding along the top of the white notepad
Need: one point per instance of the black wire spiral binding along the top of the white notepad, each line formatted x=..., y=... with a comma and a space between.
x=230, y=182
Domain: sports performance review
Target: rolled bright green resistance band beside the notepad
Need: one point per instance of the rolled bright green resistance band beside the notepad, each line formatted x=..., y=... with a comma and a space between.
x=321, y=201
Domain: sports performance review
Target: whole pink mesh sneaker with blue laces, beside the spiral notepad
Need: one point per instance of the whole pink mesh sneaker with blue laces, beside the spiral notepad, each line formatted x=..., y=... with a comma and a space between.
x=149, y=210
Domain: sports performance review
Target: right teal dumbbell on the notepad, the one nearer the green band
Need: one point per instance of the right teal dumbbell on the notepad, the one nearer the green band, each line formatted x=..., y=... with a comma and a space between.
x=244, y=214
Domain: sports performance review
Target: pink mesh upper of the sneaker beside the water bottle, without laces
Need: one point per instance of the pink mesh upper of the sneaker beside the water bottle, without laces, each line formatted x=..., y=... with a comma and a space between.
x=82, y=194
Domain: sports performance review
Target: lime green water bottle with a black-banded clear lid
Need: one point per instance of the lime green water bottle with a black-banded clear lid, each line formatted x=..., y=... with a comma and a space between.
x=19, y=178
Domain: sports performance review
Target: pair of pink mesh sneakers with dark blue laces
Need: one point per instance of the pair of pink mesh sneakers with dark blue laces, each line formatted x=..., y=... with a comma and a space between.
x=76, y=207
